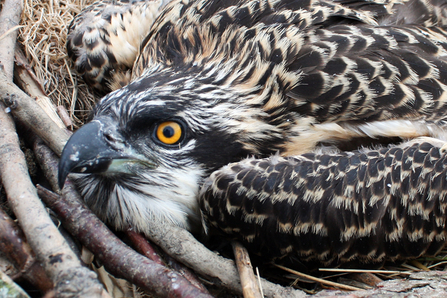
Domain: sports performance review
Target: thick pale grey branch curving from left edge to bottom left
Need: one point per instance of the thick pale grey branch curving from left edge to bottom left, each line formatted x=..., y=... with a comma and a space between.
x=60, y=263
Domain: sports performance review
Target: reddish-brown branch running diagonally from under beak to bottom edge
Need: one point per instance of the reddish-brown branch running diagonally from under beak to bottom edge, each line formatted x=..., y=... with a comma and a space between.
x=118, y=258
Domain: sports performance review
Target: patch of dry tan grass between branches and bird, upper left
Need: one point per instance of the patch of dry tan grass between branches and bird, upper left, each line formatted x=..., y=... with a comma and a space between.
x=43, y=36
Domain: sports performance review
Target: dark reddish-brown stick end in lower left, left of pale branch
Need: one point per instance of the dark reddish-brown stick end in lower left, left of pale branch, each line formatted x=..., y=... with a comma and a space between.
x=14, y=246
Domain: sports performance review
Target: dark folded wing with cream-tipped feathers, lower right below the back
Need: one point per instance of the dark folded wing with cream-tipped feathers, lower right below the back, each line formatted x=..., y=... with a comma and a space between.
x=370, y=205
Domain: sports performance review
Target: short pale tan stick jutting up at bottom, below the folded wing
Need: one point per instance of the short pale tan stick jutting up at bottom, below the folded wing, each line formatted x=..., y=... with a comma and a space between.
x=250, y=287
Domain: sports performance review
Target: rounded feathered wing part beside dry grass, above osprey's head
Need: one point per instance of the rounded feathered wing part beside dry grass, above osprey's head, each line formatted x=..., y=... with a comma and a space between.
x=105, y=38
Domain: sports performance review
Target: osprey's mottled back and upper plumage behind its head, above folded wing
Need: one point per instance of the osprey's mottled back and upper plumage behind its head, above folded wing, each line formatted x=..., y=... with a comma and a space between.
x=327, y=69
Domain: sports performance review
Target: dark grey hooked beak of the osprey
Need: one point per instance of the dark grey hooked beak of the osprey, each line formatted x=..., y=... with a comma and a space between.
x=98, y=148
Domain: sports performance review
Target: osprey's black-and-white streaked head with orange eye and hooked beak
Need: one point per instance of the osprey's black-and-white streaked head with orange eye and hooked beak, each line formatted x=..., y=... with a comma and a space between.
x=150, y=144
